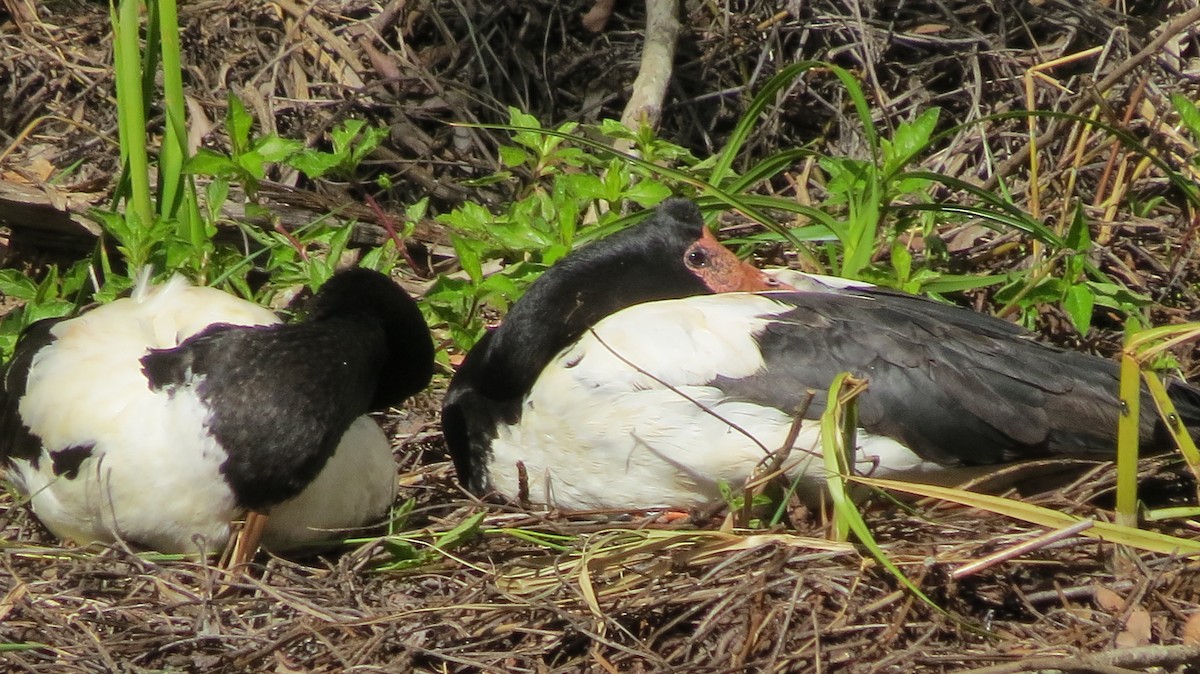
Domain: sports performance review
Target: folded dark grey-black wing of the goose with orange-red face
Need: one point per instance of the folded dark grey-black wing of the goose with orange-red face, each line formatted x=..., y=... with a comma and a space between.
x=957, y=387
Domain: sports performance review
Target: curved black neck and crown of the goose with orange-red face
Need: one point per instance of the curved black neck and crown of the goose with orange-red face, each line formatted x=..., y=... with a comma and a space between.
x=641, y=264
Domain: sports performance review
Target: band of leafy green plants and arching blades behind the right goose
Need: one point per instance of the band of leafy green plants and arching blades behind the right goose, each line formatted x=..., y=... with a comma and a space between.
x=869, y=204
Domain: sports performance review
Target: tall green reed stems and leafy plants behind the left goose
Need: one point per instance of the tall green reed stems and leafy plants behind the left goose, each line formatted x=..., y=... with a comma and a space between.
x=158, y=216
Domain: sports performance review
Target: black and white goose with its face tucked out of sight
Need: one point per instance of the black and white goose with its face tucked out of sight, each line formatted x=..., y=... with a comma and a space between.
x=161, y=418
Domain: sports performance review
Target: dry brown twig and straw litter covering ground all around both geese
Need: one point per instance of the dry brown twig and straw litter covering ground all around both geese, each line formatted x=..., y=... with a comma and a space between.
x=526, y=591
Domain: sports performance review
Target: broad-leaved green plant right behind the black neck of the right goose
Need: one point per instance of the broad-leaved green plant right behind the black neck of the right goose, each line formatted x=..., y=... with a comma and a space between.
x=560, y=184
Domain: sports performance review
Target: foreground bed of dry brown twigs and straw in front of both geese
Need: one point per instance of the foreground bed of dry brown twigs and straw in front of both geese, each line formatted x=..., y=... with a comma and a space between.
x=541, y=592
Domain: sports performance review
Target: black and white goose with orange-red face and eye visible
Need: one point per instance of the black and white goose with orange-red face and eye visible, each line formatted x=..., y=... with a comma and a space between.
x=629, y=377
